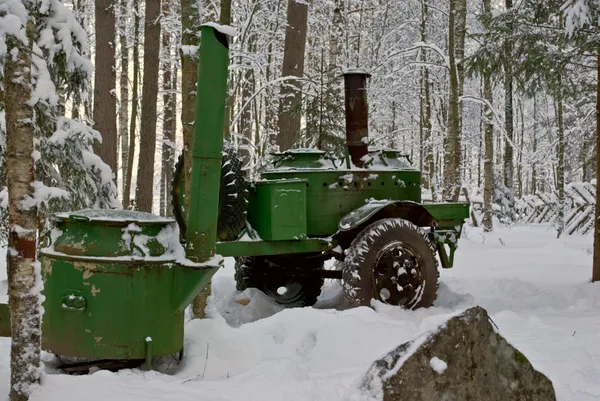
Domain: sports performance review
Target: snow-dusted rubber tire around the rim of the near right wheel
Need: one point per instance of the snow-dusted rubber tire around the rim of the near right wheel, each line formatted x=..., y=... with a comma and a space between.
x=358, y=267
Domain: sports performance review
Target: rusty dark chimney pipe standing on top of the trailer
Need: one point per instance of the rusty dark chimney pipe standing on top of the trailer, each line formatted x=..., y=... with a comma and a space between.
x=357, y=115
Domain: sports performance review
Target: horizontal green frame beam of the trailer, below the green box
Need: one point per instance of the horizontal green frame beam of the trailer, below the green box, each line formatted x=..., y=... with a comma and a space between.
x=259, y=248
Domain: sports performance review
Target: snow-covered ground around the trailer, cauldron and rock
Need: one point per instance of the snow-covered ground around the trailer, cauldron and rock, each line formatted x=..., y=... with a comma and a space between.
x=535, y=287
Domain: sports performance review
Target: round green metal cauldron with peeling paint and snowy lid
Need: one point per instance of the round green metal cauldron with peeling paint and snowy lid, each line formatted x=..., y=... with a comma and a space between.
x=106, y=307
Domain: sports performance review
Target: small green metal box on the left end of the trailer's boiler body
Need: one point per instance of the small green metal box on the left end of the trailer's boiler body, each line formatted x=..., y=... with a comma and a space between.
x=277, y=209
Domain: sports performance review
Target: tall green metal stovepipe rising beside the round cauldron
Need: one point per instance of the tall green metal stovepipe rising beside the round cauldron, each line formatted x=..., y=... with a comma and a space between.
x=207, y=145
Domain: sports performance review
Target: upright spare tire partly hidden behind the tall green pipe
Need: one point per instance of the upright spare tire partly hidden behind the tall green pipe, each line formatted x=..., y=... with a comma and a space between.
x=233, y=196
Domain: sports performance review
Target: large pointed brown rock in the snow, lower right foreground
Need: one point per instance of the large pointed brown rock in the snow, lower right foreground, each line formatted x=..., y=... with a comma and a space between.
x=466, y=359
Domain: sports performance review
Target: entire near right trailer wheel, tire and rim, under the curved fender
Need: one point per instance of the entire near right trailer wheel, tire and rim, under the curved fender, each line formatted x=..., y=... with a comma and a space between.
x=393, y=261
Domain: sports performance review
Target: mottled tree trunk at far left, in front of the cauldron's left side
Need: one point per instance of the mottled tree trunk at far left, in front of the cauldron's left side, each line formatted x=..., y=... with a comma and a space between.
x=22, y=267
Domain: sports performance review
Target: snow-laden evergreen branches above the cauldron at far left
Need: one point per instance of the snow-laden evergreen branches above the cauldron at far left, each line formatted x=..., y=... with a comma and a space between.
x=68, y=173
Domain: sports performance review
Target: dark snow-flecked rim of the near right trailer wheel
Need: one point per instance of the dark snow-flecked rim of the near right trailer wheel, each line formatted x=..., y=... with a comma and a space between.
x=398, y=274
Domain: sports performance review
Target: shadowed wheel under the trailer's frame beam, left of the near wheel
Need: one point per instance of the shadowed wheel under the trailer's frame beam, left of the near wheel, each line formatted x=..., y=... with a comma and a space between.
x=270, y=277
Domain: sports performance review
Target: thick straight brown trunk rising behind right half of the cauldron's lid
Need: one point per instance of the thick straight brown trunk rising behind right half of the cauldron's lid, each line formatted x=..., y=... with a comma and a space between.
x=145, y=177
